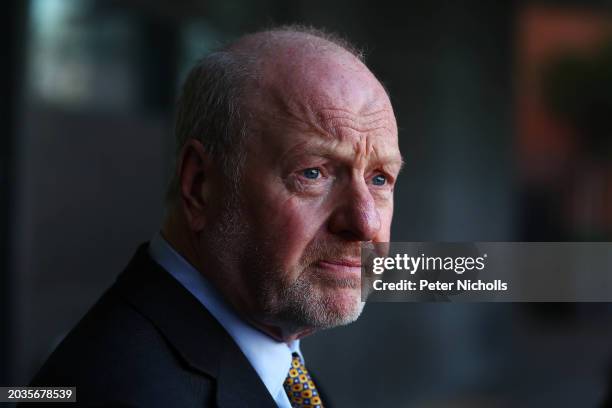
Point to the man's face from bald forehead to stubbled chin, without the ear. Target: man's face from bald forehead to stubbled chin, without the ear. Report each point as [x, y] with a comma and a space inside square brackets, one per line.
[321, 163]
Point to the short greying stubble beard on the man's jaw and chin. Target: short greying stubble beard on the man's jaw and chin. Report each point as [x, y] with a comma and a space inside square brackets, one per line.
[308, 302]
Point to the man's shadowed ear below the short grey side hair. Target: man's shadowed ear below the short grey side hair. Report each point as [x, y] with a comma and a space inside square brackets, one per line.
[194, 183]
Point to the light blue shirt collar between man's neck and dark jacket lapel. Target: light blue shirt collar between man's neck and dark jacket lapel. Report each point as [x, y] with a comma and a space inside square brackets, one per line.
[271, 359]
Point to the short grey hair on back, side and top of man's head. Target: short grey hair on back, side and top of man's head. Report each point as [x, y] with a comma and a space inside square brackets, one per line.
[210, 107]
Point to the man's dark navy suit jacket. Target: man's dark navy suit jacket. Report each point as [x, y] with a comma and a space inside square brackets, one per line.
[148, 342]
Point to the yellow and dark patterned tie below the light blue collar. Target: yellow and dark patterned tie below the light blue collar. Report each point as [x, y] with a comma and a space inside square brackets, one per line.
[299, 386]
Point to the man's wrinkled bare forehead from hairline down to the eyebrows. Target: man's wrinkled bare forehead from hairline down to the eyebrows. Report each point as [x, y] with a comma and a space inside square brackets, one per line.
[323, 103]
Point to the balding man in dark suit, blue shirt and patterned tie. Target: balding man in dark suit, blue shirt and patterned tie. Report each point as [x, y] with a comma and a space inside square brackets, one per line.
[287, 157]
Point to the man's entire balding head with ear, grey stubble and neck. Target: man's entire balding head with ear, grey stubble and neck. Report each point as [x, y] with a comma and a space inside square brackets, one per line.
[288, 160]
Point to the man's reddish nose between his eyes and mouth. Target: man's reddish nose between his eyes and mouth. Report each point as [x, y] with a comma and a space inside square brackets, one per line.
[356, 217]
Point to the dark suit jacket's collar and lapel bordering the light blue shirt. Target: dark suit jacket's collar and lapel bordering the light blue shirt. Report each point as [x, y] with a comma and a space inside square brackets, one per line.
[194, 333]
